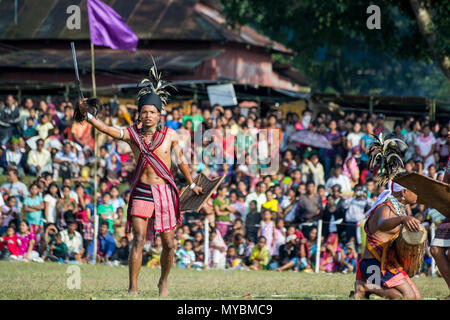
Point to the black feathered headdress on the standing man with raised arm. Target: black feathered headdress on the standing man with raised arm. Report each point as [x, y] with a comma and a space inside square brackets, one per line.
[153, 89]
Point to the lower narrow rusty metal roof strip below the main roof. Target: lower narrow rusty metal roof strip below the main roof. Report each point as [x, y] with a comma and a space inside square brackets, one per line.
[107, 59]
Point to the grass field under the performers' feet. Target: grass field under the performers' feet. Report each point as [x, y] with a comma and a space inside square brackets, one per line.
[48, 281]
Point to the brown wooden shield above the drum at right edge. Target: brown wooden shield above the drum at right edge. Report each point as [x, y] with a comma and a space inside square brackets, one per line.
[432, 193]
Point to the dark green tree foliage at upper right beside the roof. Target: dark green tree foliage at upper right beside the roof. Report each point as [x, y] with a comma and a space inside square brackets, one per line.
[338, 53]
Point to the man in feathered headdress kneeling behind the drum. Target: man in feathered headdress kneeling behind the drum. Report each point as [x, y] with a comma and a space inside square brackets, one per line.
[379, 271]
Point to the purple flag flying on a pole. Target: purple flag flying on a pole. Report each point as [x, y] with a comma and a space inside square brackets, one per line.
[108, 29]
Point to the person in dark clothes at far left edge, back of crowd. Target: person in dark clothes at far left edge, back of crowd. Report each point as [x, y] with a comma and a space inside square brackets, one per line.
[9, 120]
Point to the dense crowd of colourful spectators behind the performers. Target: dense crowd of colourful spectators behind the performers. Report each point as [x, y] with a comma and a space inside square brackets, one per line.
[255, 221]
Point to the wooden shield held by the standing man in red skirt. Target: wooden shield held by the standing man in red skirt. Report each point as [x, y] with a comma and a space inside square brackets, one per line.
[192, 202]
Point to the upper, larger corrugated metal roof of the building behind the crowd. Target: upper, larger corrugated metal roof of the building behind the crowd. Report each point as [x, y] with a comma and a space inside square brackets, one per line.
[149, 19]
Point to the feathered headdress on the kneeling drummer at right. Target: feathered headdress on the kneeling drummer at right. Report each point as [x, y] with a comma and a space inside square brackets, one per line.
[386, 157]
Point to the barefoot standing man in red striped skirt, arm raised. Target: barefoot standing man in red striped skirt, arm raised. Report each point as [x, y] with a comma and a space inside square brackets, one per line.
[154, 200]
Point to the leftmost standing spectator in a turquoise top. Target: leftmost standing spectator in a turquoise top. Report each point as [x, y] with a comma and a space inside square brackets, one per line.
[34, 206]
